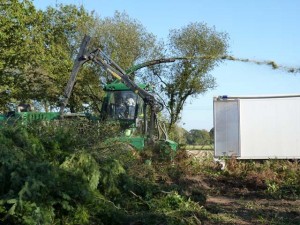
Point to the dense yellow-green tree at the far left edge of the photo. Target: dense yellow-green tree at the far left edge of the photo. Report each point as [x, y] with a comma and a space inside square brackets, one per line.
[20, 49]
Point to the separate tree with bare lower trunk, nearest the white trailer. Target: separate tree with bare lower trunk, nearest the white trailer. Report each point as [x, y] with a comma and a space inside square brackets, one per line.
[189, 78]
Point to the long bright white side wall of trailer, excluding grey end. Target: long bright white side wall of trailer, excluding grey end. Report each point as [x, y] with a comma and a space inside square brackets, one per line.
[270, 128]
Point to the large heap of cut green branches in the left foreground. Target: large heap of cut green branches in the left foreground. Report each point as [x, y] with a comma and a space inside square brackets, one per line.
[66, 173]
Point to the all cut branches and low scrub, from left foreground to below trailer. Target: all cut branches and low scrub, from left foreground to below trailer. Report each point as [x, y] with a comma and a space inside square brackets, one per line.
[66, 173]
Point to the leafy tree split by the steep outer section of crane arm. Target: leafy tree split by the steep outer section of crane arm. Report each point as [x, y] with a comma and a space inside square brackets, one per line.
[63, 28]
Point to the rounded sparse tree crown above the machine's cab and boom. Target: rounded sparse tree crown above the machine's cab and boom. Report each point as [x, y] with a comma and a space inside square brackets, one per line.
[126, 41]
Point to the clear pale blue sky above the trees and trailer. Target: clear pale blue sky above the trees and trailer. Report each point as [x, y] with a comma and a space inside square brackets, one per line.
[258, 29]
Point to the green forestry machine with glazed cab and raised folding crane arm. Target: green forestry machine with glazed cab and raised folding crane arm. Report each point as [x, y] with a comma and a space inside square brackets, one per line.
[134, 106]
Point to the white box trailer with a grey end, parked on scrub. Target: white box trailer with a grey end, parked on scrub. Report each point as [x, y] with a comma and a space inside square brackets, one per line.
[261, 127]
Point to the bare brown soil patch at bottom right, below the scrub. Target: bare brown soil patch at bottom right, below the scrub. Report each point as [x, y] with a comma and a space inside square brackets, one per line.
[227, 203]
